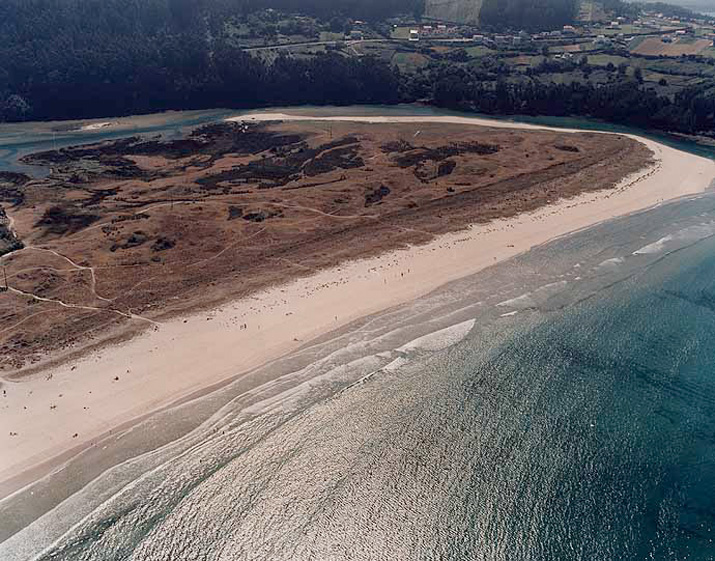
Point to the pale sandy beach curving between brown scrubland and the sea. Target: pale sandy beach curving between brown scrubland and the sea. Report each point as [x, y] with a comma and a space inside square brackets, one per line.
[51, 412]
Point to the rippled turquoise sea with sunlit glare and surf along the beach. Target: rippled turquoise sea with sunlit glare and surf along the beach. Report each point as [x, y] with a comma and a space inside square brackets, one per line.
[559, 406]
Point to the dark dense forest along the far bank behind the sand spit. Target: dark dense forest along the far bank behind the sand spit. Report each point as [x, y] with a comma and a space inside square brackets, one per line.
[76, 59]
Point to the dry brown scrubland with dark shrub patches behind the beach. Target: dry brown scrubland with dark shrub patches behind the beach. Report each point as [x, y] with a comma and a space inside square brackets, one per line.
[123, 235]
